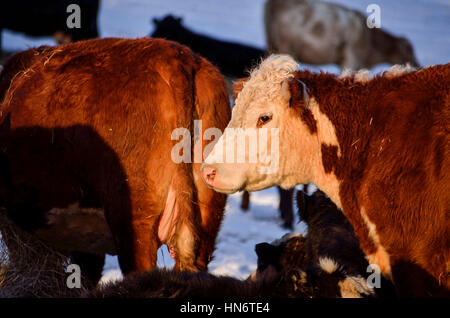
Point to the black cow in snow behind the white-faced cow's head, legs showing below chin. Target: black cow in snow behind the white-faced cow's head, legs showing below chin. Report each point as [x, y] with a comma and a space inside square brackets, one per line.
[234, 60]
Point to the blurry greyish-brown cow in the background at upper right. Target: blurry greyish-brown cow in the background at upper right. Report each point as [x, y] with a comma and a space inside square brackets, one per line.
[319, 32]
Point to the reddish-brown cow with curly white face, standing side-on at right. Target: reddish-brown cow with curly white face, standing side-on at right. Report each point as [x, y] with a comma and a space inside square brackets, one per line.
[379, 148]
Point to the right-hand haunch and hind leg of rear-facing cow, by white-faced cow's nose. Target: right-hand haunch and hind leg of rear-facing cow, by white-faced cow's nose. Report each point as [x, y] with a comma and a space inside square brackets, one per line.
[212, 104]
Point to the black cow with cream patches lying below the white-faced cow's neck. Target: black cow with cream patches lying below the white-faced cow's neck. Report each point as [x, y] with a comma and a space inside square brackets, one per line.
[329, 253]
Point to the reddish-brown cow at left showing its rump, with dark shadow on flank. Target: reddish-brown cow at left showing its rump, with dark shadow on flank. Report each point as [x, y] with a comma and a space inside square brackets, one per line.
[87, 127]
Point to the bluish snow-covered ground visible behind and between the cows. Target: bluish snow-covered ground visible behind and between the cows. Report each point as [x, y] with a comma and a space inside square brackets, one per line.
[426, 23]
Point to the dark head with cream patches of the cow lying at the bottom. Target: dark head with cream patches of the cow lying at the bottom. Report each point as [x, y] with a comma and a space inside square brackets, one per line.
[287, 263]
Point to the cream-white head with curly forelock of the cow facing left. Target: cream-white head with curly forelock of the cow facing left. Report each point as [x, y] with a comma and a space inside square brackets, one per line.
[268, 109]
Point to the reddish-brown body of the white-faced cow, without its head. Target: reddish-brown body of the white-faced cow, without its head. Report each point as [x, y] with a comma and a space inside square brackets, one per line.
[394, 137]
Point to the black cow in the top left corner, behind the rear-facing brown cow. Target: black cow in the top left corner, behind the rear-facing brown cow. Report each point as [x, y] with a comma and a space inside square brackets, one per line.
[49, 18]
